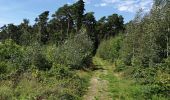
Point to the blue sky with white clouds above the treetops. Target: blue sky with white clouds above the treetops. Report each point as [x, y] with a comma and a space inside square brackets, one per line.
[14, 11]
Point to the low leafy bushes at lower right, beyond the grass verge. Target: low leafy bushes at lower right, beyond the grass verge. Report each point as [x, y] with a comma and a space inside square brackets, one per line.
[156, 78]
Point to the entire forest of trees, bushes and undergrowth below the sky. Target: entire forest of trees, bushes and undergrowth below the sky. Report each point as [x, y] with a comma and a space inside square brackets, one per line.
[57, 56]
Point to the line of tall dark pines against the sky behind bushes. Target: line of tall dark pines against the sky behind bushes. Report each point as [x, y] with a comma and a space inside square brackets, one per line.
[65, 23]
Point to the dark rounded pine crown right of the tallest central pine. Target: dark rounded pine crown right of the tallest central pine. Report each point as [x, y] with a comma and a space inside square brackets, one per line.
[110, 26]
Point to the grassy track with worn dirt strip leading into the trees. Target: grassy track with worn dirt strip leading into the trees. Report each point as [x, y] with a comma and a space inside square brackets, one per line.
[106, 84]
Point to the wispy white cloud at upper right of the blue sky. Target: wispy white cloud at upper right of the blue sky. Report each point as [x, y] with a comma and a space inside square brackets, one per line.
[127, 5]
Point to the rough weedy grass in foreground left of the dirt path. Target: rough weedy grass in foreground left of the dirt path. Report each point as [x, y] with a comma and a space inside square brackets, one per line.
[29, 88]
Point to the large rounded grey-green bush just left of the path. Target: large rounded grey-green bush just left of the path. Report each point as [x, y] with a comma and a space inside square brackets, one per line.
[76, 52]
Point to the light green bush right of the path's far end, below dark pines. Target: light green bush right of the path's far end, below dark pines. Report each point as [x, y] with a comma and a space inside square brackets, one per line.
[109, 49]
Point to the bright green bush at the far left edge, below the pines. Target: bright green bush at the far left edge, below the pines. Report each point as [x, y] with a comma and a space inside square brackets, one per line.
[11, 57]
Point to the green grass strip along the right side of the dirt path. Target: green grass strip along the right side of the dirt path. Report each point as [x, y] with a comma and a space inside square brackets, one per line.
[121, 88]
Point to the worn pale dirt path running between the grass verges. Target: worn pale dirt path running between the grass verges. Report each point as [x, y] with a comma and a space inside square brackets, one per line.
[98, 89]
